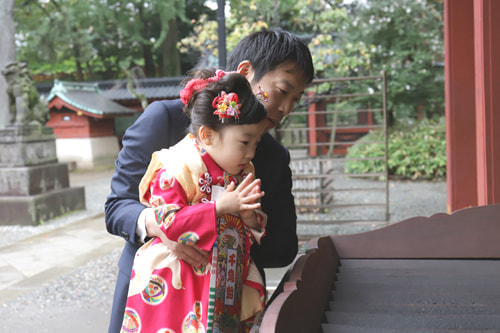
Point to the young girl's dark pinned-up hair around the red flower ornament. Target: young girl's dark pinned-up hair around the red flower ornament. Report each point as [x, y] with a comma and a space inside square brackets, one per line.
[201, 110]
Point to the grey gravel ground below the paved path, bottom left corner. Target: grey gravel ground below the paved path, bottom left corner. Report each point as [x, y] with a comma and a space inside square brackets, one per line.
[76, 302]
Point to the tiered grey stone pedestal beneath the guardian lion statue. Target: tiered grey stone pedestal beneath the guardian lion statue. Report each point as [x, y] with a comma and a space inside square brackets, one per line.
[34, 187]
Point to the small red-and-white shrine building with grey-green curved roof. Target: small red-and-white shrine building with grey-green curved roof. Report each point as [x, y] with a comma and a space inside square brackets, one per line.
[83, 122]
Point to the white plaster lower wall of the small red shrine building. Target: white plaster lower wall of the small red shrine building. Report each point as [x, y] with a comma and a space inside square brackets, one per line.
[88, 153]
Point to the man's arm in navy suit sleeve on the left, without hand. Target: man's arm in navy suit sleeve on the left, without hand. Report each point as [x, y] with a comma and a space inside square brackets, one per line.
[161, 125]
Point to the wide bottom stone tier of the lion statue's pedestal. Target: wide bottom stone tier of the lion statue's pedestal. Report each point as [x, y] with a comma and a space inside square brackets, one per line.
[36, 209]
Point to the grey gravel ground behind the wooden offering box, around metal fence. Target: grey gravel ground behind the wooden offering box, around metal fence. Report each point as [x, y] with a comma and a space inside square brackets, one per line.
[406, 199]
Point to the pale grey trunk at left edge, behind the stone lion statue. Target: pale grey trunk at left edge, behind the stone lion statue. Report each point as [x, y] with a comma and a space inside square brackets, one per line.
[8, 53]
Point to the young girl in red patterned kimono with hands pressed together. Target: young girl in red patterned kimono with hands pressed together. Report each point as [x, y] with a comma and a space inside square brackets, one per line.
[203, 193]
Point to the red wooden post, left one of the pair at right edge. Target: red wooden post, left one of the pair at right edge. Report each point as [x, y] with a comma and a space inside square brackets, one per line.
[460, 104]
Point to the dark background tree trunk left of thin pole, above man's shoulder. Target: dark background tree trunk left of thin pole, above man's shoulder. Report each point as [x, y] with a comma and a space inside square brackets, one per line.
[171, 63]
